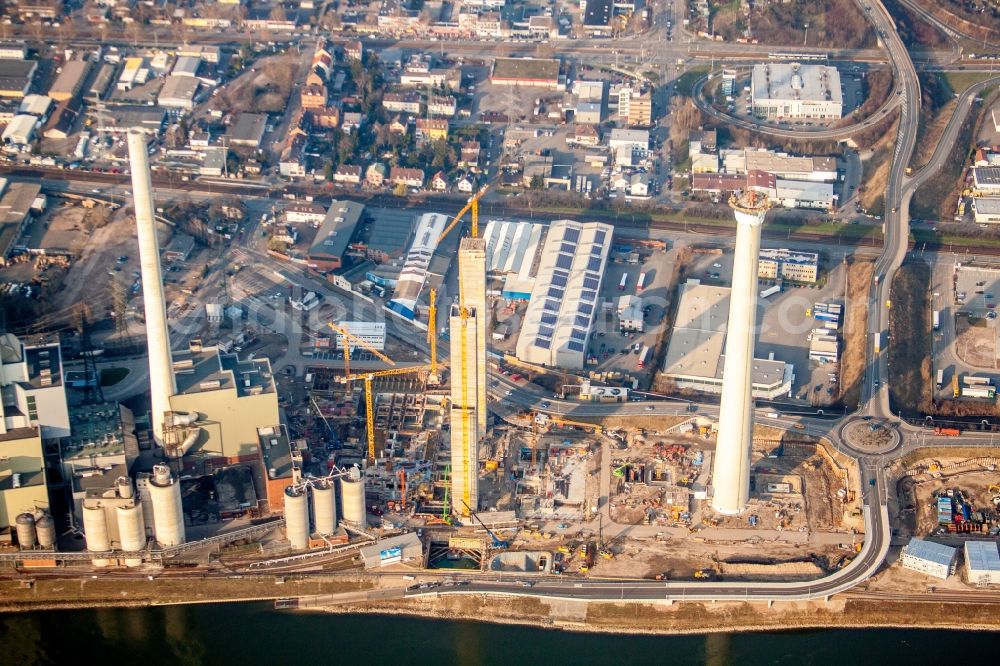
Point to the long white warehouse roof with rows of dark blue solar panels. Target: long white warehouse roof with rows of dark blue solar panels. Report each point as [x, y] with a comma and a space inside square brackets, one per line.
[566, 294]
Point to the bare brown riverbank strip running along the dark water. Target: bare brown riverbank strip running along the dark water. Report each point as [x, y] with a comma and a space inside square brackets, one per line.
[844, 611]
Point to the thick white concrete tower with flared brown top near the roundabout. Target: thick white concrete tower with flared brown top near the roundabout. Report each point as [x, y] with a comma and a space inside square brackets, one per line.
[731, 470]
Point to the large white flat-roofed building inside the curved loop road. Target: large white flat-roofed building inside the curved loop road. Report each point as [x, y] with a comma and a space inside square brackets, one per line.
[792, 91]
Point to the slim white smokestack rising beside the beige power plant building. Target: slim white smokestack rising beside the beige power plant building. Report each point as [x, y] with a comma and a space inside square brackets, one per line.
[161, 374]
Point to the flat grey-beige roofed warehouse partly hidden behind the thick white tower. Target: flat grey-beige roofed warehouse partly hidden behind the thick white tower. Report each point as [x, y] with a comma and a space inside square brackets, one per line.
[695, 357]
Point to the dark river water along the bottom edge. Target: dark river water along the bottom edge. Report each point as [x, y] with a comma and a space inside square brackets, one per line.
[254, 633]
